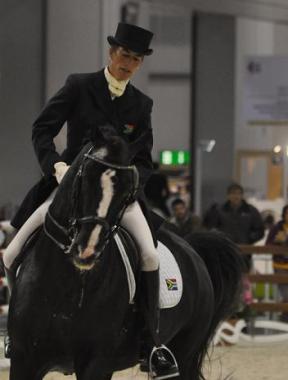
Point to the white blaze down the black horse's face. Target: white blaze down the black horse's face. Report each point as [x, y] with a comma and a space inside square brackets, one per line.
[107, 191]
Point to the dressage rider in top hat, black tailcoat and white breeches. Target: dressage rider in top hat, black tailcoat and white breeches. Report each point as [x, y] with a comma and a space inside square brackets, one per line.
[86, 102]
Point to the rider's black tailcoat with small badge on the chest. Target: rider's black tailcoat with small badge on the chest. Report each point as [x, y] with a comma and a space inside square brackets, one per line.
[85, 103]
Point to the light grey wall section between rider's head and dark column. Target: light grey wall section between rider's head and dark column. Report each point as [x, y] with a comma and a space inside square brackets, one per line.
[169, 81]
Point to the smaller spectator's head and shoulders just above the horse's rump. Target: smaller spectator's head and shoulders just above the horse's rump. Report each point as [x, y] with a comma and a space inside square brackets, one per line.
[183, 221]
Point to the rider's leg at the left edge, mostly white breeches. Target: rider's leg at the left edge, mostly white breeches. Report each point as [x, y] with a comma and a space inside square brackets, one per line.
[14, 248]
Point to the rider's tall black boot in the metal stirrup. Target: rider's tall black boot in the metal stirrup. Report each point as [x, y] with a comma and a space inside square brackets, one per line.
[161, 363]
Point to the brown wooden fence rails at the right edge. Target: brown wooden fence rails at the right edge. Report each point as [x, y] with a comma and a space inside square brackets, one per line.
[277, 278]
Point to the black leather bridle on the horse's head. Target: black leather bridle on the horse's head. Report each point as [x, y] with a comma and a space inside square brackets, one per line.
[69, 234]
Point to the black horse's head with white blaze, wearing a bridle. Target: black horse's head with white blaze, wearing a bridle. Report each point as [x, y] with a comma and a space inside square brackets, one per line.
[101, 189]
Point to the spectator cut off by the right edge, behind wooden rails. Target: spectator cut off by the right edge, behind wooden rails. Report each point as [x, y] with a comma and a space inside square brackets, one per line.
[278, 235]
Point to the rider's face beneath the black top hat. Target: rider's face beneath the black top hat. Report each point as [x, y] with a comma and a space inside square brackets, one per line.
[124, 63]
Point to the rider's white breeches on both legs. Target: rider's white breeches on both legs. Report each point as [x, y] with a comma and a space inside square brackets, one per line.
[133, 220]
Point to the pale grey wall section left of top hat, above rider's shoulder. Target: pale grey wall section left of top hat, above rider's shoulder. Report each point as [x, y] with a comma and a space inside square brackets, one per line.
[73, 40]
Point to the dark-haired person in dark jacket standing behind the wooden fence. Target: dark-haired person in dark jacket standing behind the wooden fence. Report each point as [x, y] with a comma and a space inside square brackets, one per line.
[239, 220]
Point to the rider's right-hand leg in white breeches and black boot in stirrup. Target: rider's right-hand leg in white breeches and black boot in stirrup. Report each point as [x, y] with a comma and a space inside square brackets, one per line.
[135, 222]
